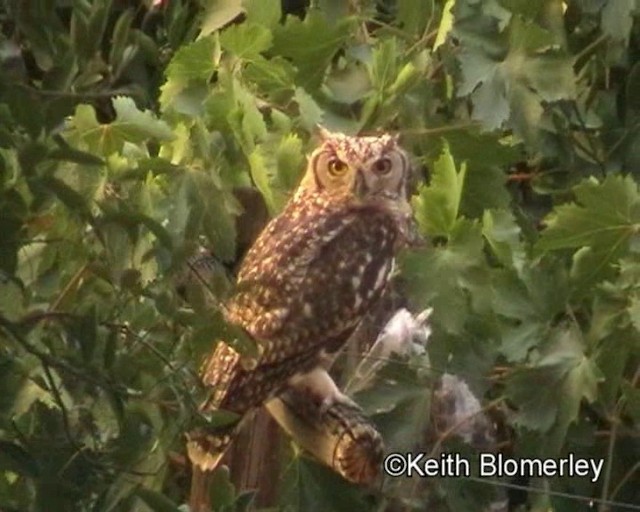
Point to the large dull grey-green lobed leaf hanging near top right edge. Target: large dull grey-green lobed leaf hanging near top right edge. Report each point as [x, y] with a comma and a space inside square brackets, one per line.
[509, 75]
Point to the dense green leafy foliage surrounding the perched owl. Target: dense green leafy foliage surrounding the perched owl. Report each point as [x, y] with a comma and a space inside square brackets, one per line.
[126, 133]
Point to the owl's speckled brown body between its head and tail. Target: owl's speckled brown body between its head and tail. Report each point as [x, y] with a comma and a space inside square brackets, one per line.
[315, 276]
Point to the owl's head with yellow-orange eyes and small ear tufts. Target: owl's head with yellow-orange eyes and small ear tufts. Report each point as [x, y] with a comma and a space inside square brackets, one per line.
[366, 167]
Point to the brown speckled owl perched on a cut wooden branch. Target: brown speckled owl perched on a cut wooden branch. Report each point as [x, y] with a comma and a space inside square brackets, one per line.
[309, 279]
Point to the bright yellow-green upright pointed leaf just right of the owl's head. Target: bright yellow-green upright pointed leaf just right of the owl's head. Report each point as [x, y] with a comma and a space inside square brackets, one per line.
[436, 206]
